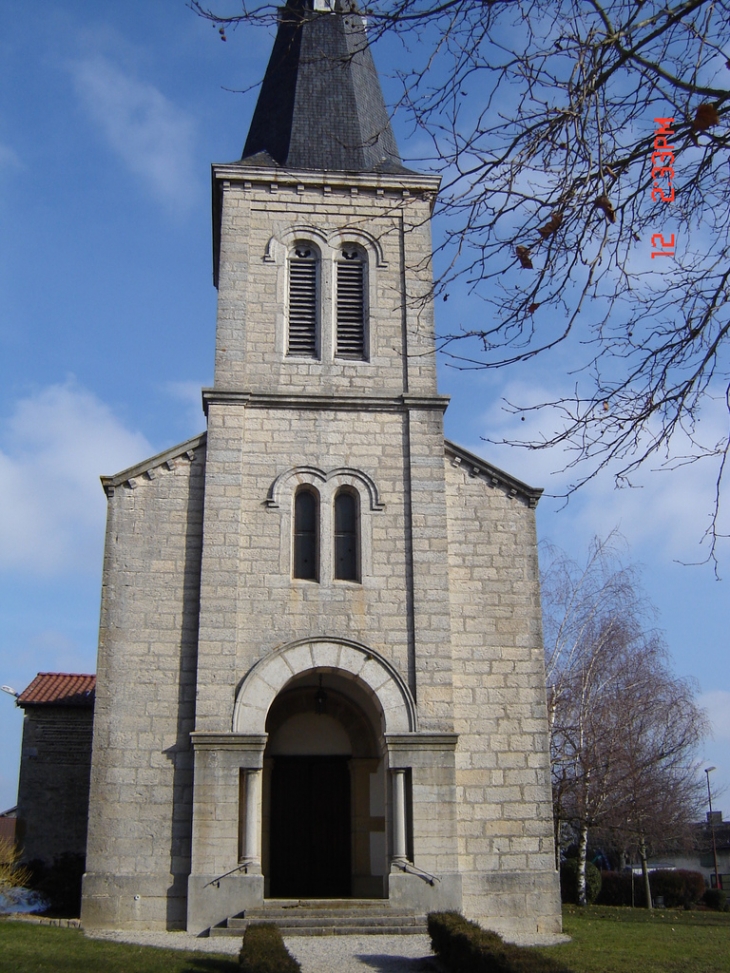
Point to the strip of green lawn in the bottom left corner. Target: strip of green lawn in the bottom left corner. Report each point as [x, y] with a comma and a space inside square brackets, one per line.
[28, 948]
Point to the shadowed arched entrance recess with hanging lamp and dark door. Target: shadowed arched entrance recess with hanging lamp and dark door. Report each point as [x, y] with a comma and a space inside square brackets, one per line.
[323, 827]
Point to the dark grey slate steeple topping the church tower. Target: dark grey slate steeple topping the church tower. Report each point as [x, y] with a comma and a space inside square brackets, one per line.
[320, 105]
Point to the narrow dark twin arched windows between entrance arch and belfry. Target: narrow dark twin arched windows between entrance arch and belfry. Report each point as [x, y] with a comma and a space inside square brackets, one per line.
[346, 547]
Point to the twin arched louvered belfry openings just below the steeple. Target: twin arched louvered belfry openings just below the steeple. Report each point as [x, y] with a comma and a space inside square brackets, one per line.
[304, 338]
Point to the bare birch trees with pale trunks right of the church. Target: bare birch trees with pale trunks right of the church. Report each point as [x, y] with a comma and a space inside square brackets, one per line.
[623, 728]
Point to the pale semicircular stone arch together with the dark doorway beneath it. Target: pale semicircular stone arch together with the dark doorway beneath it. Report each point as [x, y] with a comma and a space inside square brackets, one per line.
[366, 698]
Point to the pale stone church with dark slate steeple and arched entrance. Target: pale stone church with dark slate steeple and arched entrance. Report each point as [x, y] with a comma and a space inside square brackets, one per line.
[320, 674]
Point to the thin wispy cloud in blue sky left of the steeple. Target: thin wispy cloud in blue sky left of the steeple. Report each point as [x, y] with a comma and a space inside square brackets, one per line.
[152, 136]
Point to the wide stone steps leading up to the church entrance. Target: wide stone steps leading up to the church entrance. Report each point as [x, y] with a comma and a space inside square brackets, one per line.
[327, 917]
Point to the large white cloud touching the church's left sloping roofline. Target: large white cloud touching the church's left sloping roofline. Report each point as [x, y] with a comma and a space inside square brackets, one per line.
[55, 445]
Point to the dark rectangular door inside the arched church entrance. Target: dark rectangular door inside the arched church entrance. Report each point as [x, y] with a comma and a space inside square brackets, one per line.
[310, 828]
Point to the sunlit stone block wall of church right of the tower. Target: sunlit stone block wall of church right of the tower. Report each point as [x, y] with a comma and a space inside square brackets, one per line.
[504, 801]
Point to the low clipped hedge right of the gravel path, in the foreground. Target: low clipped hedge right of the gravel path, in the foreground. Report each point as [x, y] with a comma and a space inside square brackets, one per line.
[464, 947]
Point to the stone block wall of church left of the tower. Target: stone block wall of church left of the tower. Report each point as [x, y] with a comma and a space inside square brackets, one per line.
[141, 788]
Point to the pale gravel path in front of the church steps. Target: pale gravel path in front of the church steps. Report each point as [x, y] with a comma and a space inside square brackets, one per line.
[317, 954]
